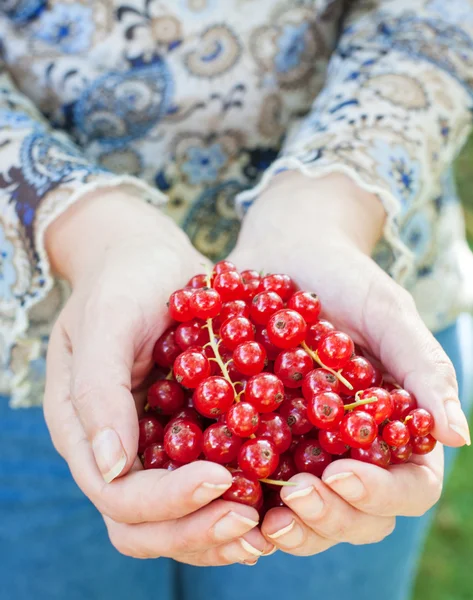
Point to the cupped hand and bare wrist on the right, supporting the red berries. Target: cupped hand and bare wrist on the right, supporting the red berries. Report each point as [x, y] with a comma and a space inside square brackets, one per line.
[321, 232]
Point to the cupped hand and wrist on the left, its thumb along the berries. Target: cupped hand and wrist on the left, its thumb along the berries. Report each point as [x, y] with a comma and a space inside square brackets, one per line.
[123, 259]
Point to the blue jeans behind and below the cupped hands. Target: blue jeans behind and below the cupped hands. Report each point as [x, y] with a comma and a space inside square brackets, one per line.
[53, 543]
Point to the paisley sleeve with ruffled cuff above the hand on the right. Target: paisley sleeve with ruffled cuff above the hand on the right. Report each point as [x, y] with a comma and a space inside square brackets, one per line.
[395, 109]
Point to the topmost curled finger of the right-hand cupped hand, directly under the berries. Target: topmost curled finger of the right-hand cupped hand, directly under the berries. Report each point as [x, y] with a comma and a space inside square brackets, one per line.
[408, 490]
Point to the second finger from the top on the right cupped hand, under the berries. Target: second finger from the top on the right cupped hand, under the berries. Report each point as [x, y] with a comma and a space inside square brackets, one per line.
[331, 517]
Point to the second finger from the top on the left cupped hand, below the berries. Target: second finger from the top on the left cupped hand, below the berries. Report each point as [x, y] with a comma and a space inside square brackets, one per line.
[213, 525]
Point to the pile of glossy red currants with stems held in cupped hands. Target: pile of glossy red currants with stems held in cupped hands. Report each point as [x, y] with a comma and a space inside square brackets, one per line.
[252, 378]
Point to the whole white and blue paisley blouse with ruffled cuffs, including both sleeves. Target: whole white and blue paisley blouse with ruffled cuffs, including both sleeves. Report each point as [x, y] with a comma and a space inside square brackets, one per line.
[196, 104]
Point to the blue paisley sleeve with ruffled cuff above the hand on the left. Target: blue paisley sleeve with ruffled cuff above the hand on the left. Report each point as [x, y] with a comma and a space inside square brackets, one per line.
[41, 173]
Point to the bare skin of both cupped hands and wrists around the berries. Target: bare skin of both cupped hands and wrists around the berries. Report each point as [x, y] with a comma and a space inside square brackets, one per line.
[95, 355]
